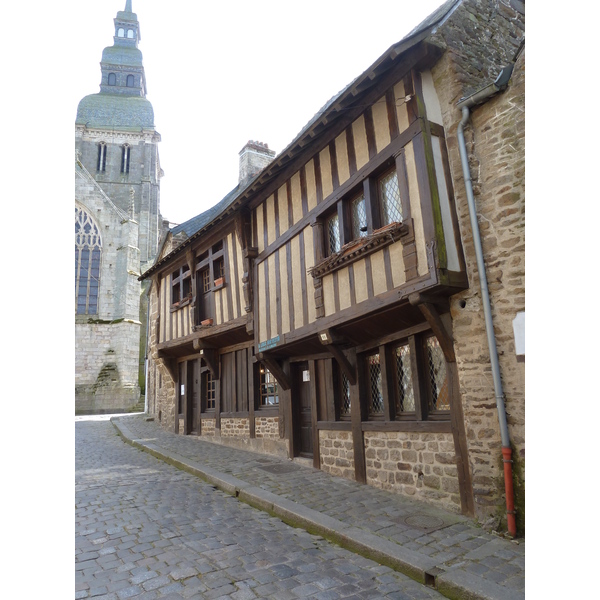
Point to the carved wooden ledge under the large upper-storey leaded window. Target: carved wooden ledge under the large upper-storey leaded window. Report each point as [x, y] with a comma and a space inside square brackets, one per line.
[357, 249]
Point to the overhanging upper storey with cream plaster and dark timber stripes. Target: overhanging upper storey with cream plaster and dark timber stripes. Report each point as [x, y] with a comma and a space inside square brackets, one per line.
[353, 217]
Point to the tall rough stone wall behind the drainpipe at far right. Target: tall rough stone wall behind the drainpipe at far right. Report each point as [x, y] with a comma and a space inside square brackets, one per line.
[495, 136]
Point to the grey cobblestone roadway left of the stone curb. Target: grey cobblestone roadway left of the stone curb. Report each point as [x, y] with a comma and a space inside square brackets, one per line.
[146, 530]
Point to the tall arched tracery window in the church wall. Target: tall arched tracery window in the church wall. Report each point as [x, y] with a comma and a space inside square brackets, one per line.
[88, 253]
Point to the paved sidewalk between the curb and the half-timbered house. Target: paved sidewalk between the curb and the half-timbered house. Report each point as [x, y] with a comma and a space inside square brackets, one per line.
[456, 544]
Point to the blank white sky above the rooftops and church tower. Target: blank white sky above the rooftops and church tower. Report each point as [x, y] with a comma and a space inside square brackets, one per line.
[222, 73]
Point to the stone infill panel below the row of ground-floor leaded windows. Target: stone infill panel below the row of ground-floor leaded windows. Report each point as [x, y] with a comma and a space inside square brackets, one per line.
[422, 465]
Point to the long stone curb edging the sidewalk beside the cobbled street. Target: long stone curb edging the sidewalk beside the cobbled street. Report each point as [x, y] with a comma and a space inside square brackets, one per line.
[455, 584]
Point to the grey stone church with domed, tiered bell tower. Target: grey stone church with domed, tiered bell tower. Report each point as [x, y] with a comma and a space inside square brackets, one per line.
[117, 225]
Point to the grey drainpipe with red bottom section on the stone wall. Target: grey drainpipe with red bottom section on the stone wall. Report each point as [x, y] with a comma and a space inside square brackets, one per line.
[465, 105]
